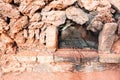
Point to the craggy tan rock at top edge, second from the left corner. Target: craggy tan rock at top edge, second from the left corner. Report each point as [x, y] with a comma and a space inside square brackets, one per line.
[30, 7]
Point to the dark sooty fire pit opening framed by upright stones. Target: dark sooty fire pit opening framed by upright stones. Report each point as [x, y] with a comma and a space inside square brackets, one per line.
[72, 35]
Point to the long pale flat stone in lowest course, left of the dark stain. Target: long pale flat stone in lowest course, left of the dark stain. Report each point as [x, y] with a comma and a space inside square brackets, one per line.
[59, 67]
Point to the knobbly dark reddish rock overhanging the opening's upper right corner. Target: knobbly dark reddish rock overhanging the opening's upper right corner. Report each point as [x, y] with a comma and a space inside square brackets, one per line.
[96, 24]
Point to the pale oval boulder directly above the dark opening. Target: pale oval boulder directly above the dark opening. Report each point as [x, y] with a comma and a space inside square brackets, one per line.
[77, 15]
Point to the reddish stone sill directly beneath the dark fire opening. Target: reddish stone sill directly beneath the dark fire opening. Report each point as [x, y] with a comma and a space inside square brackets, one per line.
[80, 53]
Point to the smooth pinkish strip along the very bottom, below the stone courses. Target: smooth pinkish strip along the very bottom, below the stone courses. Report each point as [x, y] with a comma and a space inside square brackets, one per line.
[97, 75]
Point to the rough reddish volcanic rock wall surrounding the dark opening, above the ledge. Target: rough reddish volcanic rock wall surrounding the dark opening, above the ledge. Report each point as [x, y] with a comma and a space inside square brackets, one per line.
[27, 22]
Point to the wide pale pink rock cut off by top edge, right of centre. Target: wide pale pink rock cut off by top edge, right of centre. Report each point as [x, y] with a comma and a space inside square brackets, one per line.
[94, 4]
